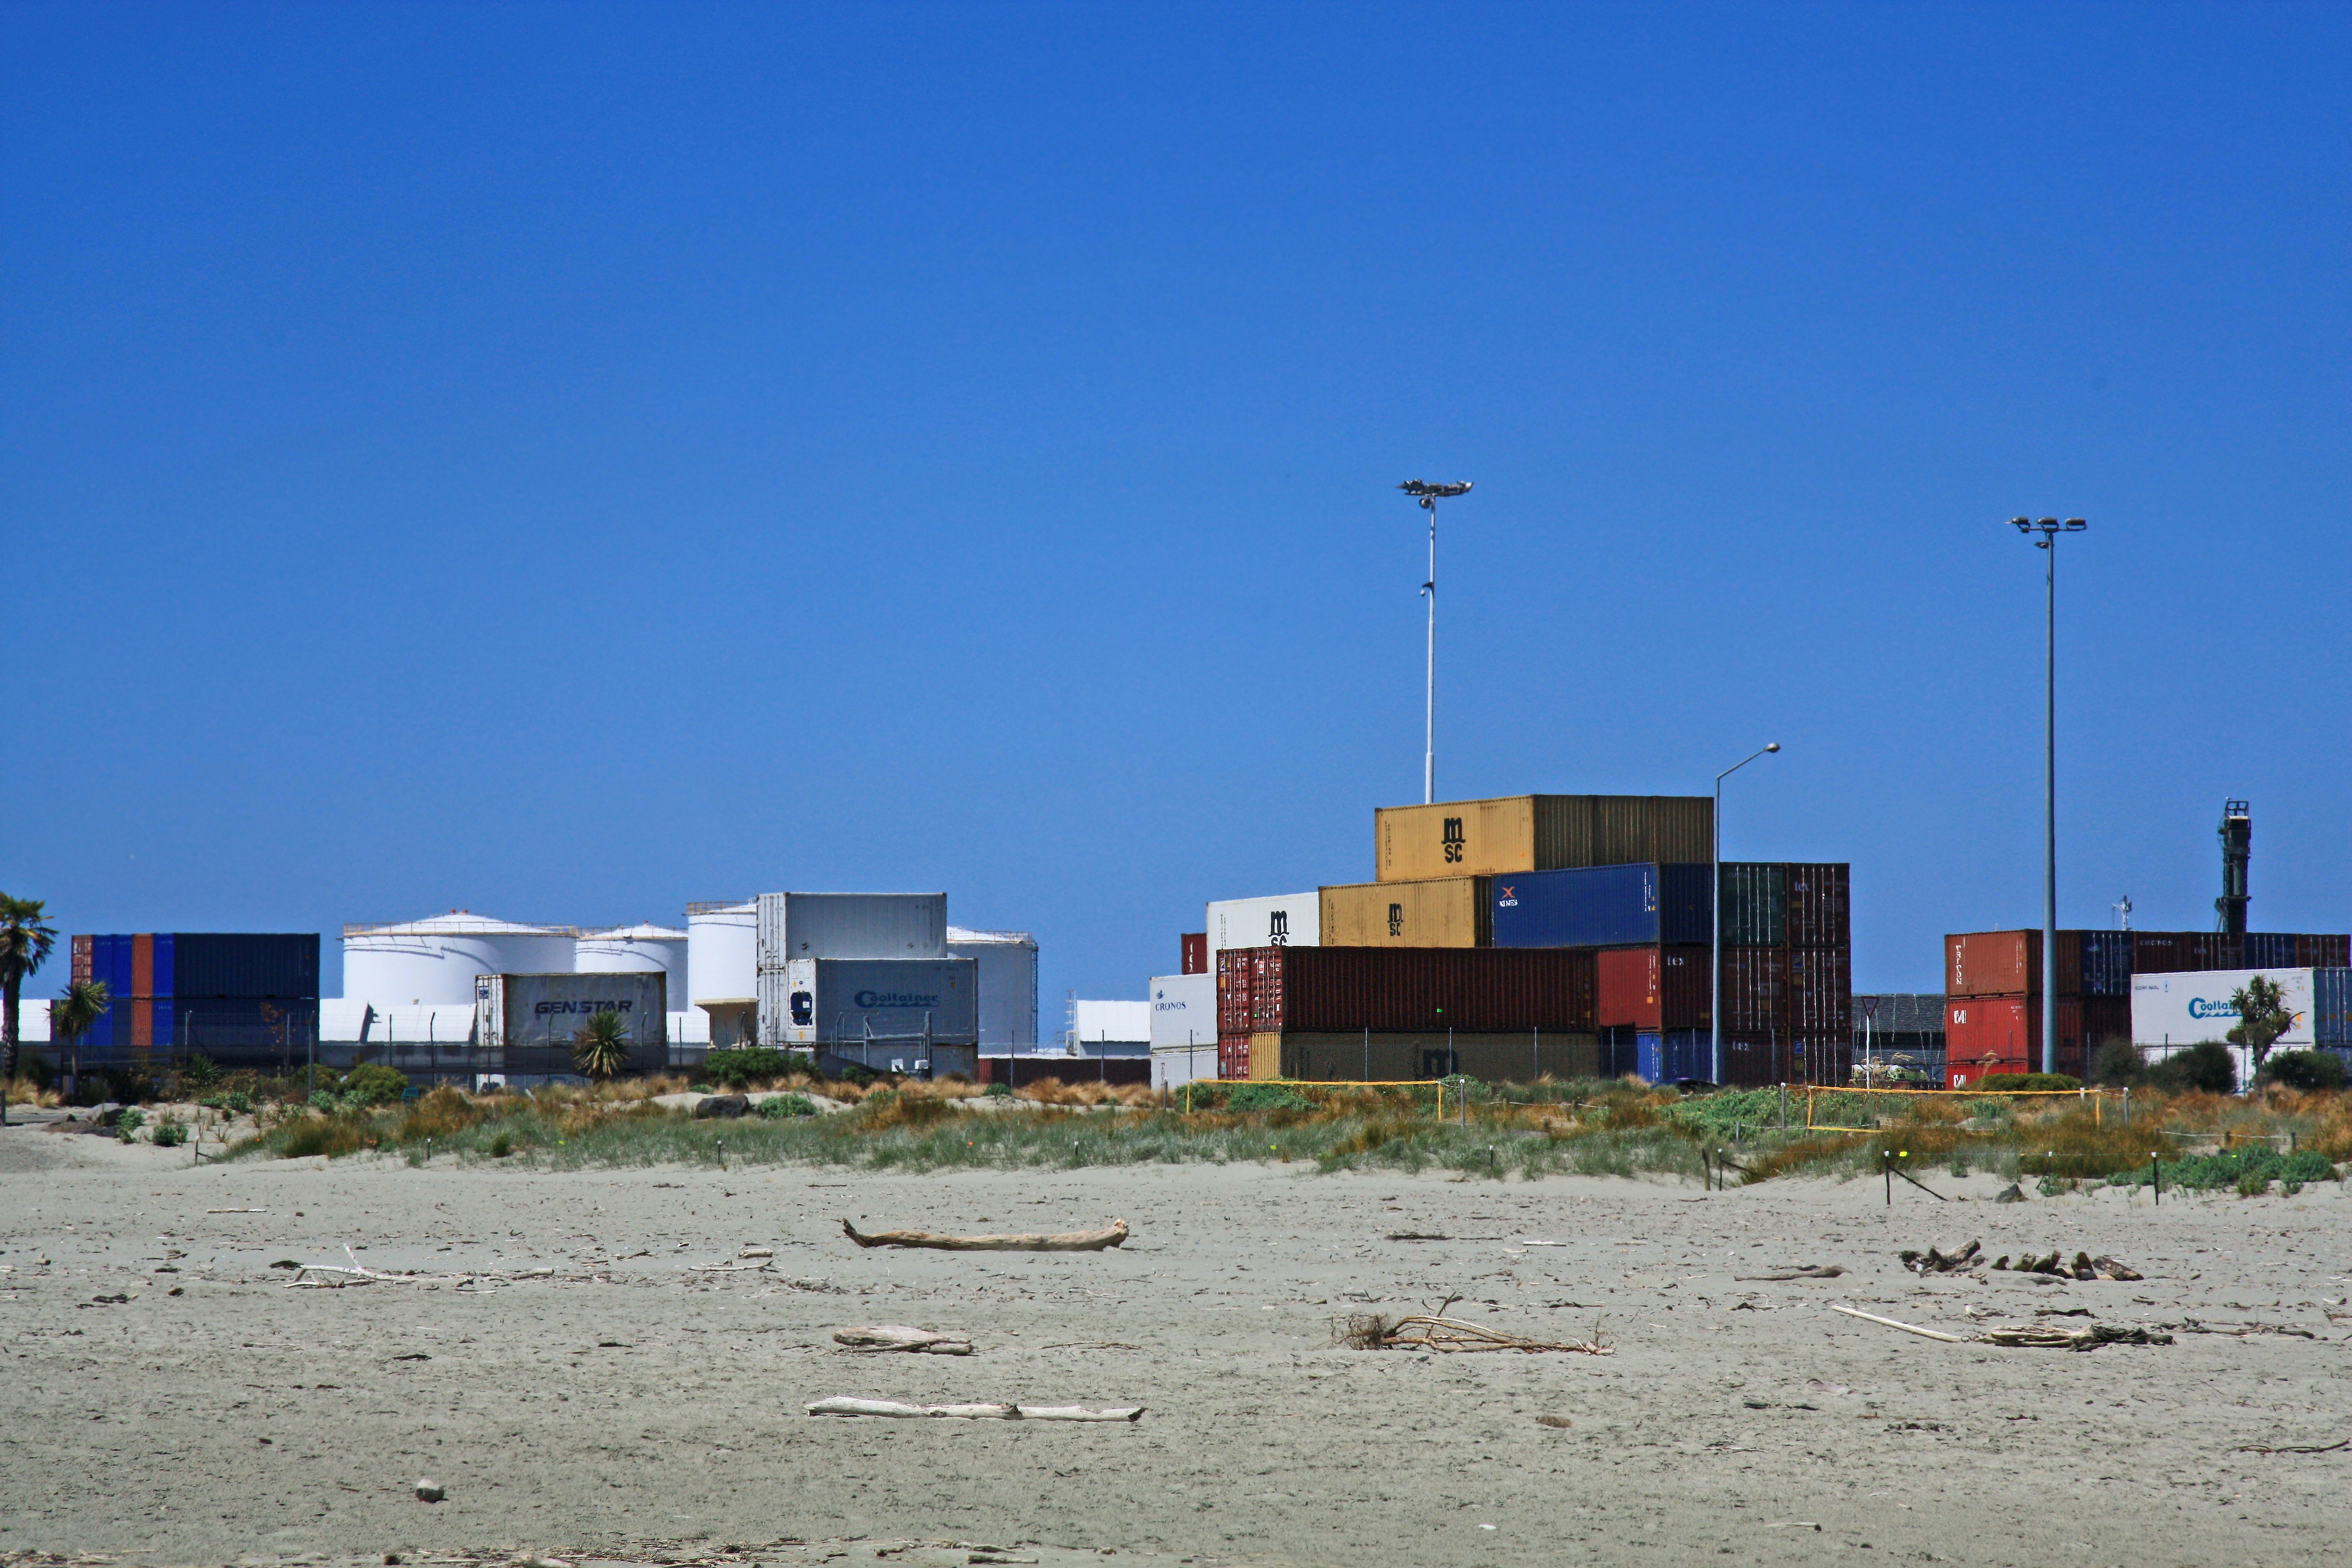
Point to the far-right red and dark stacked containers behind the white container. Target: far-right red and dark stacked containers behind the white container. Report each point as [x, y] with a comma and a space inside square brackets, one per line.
[1993, 989]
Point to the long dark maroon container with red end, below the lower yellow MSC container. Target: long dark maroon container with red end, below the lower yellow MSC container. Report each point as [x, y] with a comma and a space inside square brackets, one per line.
[1405, 989]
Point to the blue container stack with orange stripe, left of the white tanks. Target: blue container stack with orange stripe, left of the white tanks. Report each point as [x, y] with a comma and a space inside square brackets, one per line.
[243, 1000]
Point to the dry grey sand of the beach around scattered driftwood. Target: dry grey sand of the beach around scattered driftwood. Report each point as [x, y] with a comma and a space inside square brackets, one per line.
[632, 1407]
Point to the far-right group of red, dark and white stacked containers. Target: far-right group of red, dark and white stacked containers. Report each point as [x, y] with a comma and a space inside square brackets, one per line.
[2163, 991]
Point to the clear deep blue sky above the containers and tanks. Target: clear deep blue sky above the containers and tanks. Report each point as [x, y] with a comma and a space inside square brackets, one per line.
[570, 462]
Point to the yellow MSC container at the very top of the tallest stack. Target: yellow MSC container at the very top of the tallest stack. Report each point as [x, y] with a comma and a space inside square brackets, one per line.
[1537, 833]
